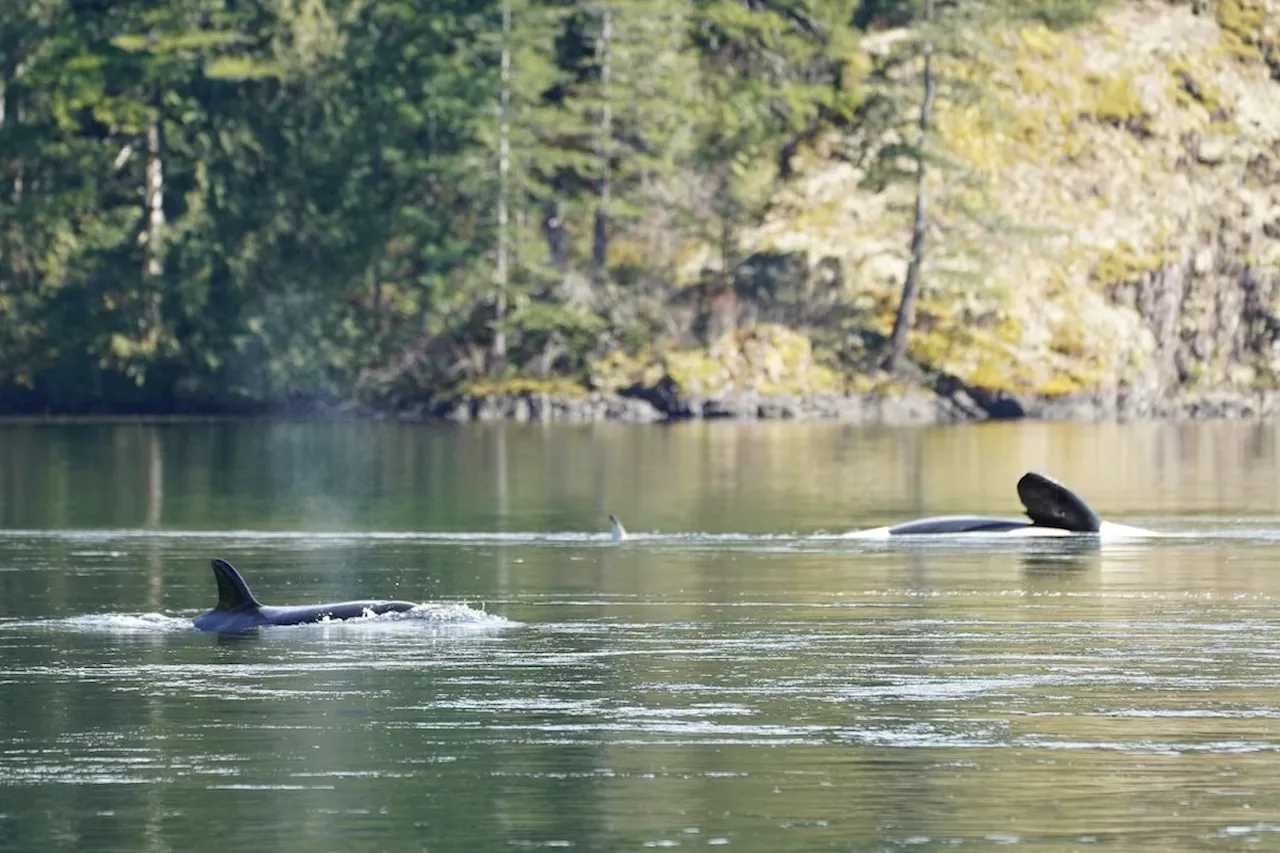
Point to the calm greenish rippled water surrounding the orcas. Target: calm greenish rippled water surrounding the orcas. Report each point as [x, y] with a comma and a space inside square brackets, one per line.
[733, 677]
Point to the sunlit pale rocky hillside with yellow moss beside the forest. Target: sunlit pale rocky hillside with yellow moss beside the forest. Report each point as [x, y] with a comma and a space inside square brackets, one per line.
[1135, 167]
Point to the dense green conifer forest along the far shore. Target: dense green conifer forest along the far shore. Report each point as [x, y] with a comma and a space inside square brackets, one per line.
[235, 206]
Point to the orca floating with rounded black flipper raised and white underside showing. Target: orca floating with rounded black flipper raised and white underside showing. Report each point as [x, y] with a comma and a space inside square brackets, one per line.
[1053, 510]
